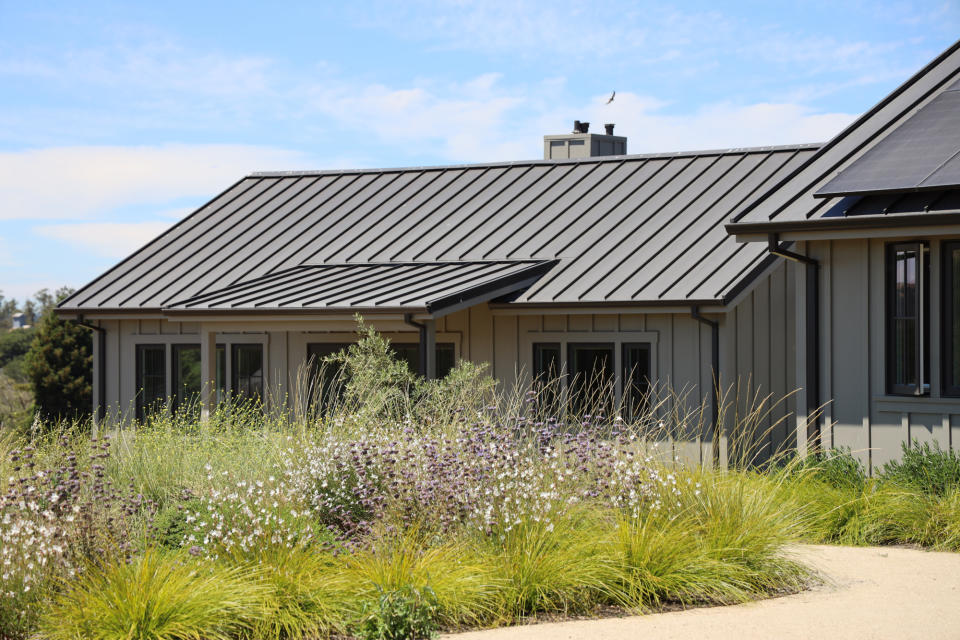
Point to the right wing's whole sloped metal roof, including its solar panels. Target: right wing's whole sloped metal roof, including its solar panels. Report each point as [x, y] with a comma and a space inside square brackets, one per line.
[880, 150]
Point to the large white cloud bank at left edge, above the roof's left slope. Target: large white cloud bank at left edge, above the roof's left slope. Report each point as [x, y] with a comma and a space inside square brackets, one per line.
[83, 182]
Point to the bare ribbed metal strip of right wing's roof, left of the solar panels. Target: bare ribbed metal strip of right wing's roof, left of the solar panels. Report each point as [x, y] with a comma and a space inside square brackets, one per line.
[793, 200]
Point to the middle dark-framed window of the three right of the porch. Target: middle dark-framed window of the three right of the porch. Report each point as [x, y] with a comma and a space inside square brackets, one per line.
[591, 371]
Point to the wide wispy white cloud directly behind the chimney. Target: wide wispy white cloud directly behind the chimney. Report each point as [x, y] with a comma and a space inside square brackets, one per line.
[481, 121]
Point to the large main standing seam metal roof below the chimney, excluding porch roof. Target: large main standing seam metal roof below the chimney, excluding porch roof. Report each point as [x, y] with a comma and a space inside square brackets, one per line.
[644, 229]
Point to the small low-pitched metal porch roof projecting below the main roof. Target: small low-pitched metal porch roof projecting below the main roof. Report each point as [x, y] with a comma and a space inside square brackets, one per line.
[432, 286]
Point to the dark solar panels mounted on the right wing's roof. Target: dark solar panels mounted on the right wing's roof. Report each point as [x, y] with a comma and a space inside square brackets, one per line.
[917, 155]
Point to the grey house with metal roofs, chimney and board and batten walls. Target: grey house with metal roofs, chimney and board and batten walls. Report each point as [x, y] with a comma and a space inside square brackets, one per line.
[820, 268]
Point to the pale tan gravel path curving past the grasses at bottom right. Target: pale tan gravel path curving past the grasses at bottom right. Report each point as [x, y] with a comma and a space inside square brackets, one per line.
[870, 593]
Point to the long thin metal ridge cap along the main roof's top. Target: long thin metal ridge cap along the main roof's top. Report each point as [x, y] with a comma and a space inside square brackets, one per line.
[541, 162]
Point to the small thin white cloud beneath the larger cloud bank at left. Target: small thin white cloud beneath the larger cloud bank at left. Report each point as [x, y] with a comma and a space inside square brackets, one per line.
[107, 239]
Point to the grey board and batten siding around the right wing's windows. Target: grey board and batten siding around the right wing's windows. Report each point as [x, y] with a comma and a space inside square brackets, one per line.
[858, 413]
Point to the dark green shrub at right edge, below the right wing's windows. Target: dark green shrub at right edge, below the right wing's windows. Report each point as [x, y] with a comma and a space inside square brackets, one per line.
[924, 468]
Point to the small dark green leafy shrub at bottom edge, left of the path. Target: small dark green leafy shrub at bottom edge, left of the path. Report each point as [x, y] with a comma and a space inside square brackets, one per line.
[407, 613]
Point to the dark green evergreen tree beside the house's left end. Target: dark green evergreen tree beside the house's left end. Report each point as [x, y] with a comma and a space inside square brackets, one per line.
[60, 368]
